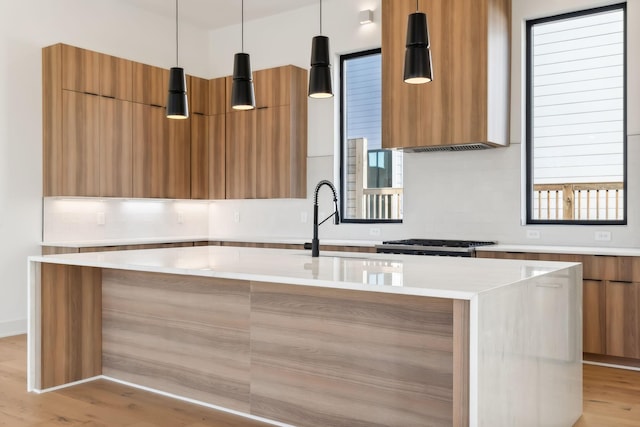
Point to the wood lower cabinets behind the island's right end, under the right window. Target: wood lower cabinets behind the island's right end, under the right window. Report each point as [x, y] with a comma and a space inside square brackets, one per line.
[611, 302]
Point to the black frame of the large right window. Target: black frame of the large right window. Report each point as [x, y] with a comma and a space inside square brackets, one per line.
[529, 122]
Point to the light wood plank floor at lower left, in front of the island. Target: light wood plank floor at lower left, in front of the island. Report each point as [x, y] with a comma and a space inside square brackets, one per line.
[96, 404]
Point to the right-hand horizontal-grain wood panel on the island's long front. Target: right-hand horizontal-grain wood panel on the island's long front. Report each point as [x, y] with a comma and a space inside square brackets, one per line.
[333, 357]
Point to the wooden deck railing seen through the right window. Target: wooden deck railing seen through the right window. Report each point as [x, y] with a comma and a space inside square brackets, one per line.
[584, 201]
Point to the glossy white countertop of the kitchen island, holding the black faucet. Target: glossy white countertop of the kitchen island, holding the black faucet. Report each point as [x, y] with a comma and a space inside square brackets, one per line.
[445, 277]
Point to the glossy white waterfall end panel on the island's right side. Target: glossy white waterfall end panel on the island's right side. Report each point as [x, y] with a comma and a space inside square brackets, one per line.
[530, 351]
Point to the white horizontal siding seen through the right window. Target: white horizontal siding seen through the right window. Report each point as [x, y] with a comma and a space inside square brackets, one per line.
[577, 99]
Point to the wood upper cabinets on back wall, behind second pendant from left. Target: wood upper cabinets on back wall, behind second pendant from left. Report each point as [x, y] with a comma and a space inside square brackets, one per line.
[266, 148]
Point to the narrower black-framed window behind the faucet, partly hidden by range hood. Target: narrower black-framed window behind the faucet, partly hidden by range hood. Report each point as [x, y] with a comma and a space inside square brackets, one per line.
[371, 178]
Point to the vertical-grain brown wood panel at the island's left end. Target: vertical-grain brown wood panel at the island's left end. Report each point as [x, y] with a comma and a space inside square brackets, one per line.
[71, 324]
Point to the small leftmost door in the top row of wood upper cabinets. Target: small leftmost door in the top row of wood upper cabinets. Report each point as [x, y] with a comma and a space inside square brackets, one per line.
[80, 70]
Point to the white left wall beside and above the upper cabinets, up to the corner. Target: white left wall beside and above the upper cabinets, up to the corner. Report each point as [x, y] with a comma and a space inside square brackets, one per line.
[26, 26]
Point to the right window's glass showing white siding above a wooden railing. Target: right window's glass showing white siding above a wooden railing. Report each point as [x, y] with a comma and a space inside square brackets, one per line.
[576, 118]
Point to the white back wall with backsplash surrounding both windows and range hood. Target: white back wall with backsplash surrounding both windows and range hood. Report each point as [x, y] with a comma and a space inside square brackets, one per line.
[468, 195]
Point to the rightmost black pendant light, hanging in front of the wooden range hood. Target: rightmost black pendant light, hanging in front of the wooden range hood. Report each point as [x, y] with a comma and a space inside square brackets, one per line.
[417, 57]
